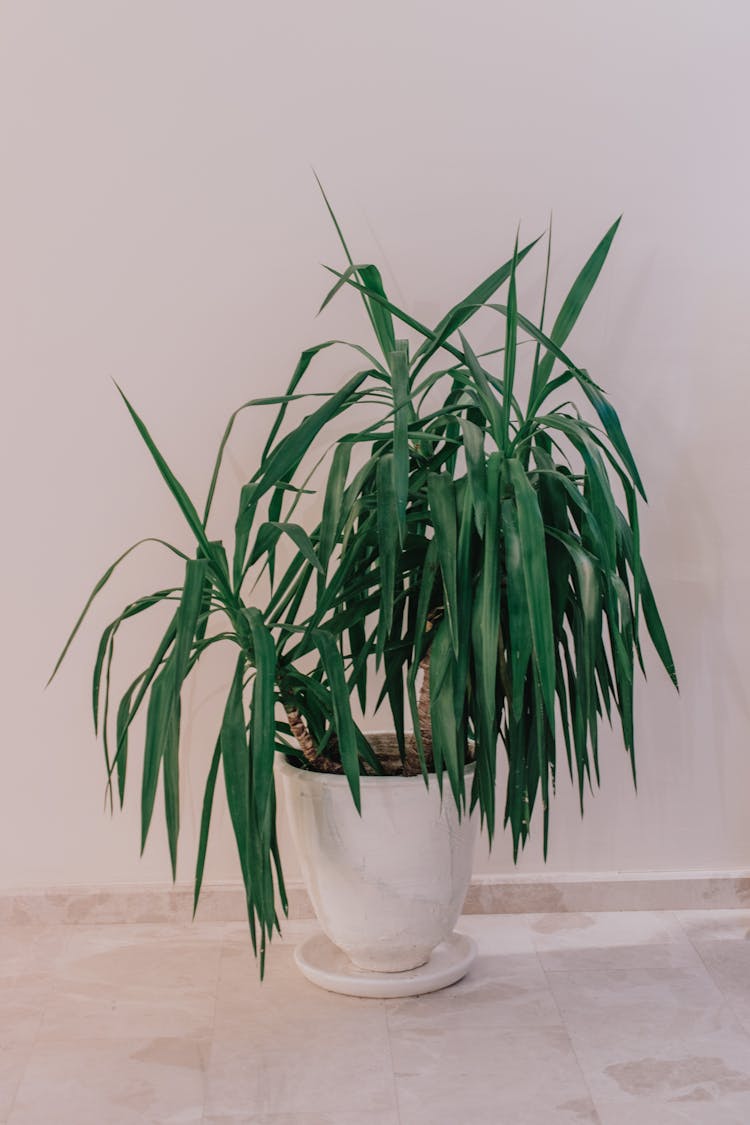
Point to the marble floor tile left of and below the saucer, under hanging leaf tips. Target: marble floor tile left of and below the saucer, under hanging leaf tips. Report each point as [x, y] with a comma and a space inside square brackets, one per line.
[287, 1048]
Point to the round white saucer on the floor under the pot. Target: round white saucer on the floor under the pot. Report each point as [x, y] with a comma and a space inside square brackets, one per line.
[328, 967]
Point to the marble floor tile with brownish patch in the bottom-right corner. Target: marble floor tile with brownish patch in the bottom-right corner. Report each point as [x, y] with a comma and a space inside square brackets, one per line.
[662, 1046]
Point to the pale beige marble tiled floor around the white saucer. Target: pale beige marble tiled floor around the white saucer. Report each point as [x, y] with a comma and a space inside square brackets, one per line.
[611, 1019]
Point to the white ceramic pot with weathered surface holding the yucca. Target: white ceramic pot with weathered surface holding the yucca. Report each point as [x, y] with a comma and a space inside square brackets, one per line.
[388, 887]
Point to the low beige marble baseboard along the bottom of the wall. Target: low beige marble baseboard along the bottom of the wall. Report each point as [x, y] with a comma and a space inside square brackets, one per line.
[487, 895]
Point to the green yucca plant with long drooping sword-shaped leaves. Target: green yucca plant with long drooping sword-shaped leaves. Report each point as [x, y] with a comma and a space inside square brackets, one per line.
[478, 546]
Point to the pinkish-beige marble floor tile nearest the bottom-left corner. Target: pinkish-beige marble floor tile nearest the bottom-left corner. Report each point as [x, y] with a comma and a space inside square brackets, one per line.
[113, 1083]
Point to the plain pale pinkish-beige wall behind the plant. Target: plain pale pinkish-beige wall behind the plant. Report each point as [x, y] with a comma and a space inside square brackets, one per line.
[159, 224]
